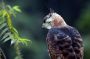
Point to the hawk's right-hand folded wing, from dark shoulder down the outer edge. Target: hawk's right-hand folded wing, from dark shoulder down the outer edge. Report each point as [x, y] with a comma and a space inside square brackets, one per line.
[77, 42]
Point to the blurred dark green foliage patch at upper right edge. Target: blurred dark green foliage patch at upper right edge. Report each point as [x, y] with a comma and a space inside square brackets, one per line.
[84, 21]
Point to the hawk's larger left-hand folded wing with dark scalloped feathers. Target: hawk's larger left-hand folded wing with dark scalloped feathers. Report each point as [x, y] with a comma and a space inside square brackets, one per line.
[60, 46]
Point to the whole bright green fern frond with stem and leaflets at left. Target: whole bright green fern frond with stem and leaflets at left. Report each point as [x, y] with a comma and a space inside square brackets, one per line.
[7, 30]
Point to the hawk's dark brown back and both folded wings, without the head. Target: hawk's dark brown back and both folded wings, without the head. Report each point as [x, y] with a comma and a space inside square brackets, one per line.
[65, 44]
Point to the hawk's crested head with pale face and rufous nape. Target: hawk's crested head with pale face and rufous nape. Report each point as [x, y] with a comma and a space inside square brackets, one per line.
[53, 20]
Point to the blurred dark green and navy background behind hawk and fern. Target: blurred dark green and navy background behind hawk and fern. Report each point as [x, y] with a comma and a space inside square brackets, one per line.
[75, 12]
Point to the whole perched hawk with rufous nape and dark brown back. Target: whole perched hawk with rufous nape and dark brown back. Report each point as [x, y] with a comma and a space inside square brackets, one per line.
[63, 41]
